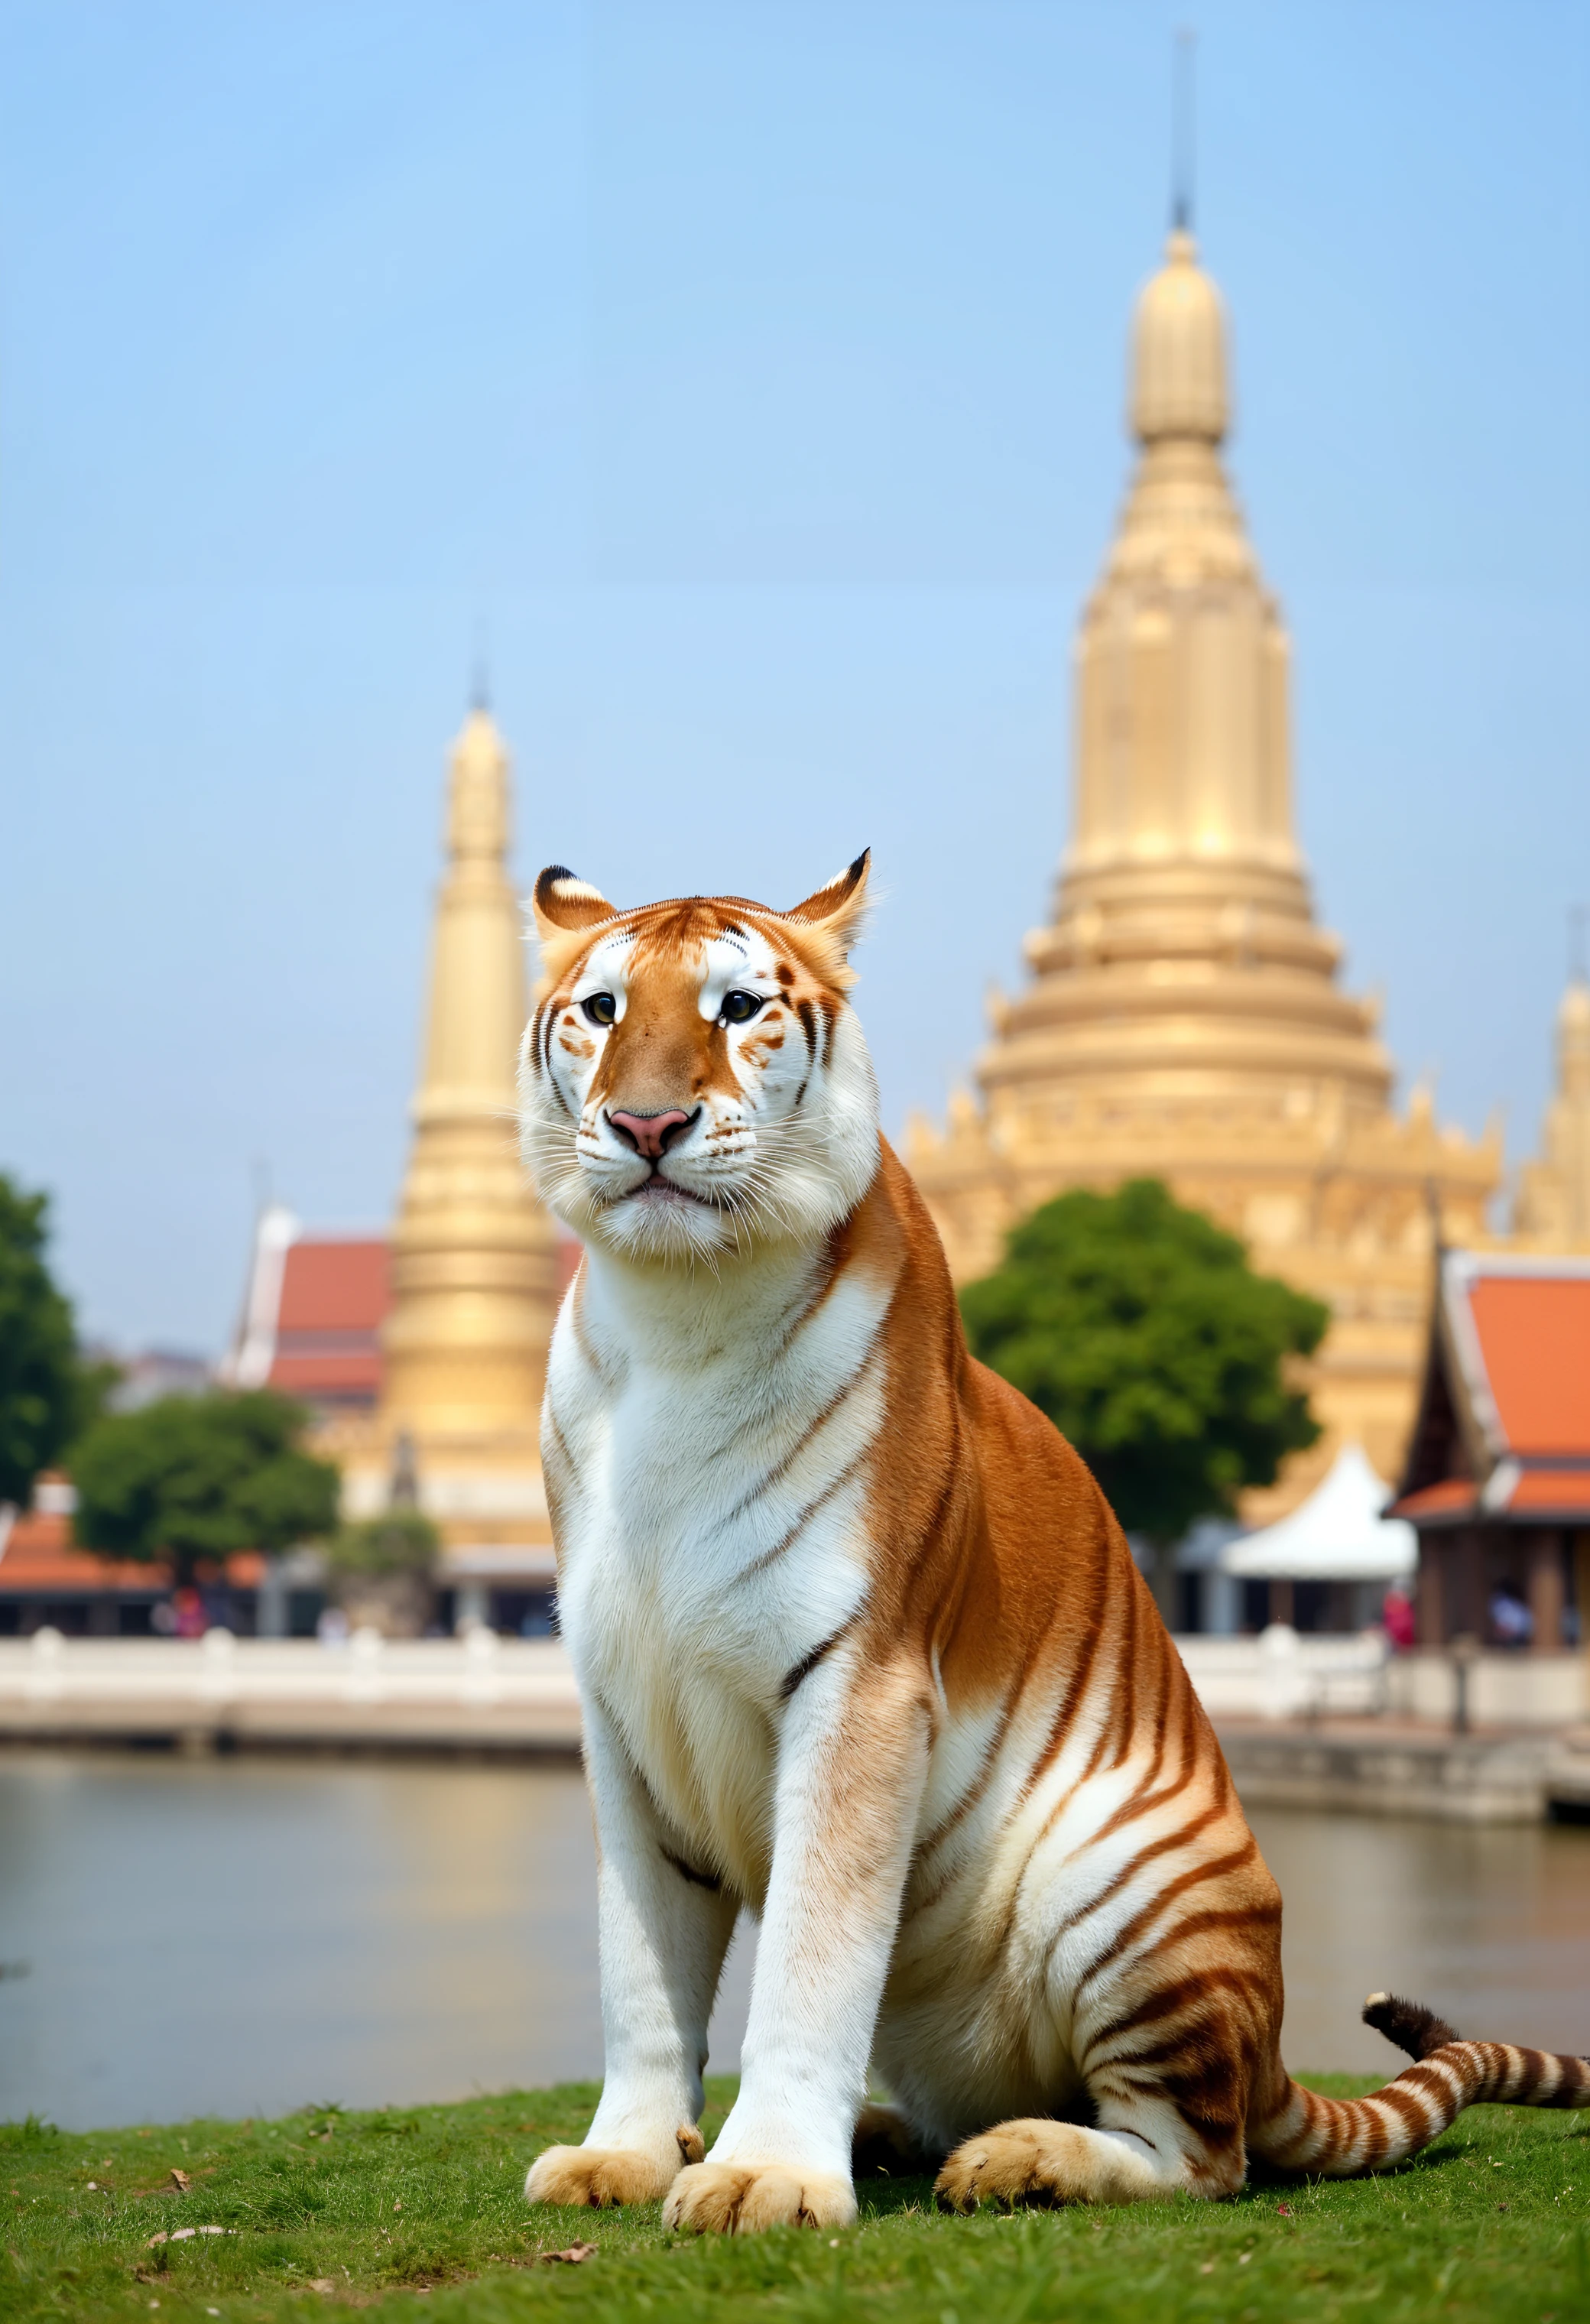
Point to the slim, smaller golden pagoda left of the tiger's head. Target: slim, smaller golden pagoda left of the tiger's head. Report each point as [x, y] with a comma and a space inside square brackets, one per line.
[473, 1256]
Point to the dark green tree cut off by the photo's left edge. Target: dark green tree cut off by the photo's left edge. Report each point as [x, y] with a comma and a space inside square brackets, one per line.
[45, 1391]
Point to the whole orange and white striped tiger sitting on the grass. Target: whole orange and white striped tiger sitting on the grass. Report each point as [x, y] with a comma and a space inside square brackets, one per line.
[864, 1649]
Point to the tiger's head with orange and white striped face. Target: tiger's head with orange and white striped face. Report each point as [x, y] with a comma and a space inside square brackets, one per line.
[694, 1079]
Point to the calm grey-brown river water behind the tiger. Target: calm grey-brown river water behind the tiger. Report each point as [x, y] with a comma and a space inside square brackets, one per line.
[243, 1937]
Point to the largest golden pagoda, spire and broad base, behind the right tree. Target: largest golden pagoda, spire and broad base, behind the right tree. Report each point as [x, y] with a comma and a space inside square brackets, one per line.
[1184, 1017]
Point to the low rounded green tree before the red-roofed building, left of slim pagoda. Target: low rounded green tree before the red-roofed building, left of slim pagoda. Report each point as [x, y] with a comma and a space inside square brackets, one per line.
[201, 1477]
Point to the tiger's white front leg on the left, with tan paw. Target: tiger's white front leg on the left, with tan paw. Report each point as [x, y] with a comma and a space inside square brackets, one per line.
[664, 1930]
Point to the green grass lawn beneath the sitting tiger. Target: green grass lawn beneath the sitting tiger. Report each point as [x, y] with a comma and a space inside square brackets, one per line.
[422, 2216]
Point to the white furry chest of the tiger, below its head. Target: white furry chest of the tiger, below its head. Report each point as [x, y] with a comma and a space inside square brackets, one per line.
[712, 1521]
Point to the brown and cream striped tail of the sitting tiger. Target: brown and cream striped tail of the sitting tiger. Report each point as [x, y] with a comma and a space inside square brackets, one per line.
[1347, 2137]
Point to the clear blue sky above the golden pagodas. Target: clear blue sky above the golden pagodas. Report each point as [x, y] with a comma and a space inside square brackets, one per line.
[754, 371]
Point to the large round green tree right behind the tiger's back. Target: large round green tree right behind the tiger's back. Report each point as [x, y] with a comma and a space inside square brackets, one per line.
[1145, 1335]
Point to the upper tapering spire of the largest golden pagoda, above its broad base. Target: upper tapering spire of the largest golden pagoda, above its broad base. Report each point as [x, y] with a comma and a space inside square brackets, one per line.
[1182, 968]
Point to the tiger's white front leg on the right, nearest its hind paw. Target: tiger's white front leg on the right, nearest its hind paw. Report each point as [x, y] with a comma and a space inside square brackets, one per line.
[852, 1770]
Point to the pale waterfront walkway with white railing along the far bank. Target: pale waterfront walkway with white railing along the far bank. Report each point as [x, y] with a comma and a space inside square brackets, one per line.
[1308, 1723]
